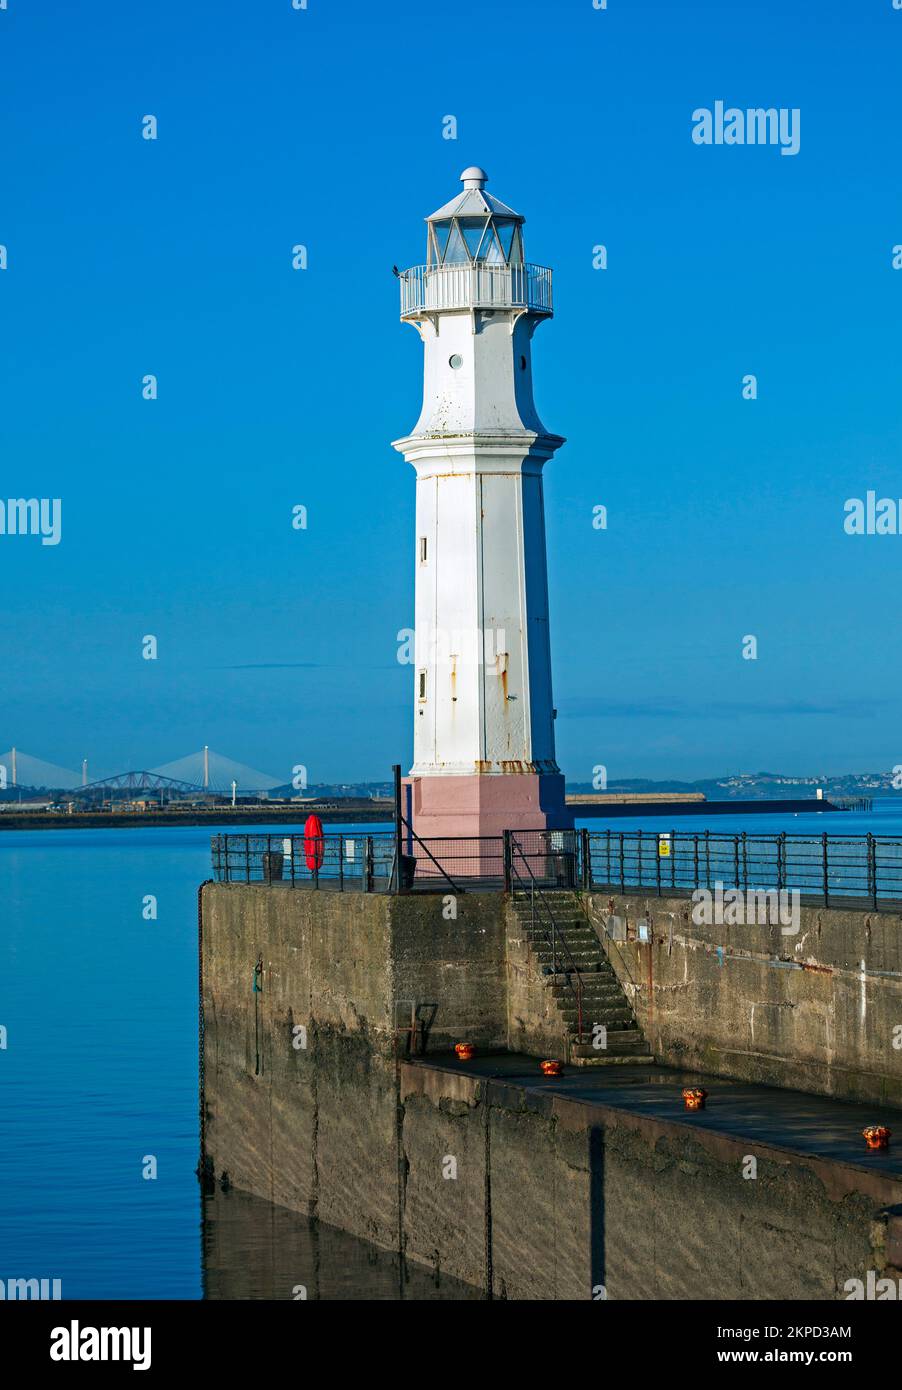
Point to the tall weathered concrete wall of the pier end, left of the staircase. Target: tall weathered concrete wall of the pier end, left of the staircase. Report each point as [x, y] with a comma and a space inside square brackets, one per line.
[315, 1127]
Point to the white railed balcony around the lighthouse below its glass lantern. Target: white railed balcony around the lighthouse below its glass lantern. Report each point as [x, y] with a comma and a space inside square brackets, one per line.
[426, 290]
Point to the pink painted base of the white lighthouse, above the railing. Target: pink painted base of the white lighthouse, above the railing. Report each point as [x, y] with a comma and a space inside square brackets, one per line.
[486, 806]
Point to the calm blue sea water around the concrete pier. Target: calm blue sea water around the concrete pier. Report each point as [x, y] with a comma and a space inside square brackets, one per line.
[101, 1070]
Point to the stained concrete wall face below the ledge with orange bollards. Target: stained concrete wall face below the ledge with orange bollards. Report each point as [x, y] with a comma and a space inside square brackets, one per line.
[558, 1199]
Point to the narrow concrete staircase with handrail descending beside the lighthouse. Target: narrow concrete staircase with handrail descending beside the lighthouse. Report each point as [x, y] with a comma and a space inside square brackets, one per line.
[604, 1000]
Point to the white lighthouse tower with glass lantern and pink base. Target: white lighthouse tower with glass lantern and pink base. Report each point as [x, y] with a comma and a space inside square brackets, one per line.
[484, 719]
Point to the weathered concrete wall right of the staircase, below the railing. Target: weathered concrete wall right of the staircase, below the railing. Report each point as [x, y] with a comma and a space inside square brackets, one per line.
[814, 1013]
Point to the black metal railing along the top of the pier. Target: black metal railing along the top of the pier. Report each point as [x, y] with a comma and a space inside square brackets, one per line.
[829, 869]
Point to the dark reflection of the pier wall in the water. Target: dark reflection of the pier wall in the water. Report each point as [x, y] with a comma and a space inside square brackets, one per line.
[256, 1250]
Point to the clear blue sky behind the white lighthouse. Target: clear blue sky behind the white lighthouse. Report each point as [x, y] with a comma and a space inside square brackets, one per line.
[281, 389]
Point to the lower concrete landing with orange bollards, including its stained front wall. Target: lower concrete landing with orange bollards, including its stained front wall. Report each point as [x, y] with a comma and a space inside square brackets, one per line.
[604, 1181]
